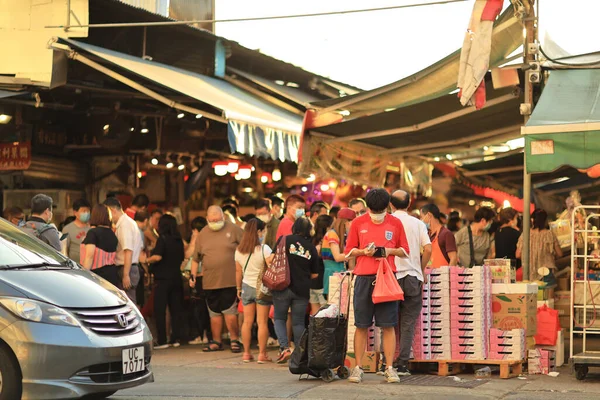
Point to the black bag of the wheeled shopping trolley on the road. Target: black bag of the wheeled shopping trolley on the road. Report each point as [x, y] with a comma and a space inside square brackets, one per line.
[327, 342]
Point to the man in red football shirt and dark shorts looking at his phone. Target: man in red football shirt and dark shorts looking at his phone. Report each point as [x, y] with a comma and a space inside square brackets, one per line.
[383, 230]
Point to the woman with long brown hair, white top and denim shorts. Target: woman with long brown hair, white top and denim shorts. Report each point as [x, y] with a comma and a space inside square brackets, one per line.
[250, 258]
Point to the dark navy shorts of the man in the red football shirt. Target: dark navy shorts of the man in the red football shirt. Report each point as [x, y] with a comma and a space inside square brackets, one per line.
[386, 314]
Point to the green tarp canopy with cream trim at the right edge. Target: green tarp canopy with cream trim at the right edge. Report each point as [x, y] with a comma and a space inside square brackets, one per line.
[564, 128]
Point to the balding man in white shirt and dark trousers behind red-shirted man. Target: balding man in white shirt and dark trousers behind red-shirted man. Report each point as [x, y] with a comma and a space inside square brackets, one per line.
[410, 277]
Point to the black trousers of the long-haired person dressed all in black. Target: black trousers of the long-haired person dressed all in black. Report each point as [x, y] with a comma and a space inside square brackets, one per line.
[168, 292]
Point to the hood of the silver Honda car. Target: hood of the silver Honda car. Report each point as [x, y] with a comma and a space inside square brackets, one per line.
[65, 288]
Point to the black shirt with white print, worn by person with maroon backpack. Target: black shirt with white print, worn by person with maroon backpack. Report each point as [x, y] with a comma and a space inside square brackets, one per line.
[303, 260]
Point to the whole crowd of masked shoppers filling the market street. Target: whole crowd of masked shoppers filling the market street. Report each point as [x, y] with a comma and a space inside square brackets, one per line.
[226, 256]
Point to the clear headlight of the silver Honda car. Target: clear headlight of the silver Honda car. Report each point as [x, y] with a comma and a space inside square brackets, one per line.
[37, 311]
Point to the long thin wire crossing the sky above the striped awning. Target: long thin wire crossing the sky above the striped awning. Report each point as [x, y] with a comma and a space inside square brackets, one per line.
[211, 21]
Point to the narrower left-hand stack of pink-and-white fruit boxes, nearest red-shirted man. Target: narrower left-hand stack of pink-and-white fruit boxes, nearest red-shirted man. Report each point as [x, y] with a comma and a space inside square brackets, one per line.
[435, 332]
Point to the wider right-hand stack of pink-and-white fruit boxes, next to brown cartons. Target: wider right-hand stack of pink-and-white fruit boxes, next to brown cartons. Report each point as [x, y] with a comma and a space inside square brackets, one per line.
[471, 313]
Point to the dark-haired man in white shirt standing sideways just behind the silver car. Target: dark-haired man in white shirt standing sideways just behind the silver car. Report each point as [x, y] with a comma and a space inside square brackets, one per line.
[129, 248]
